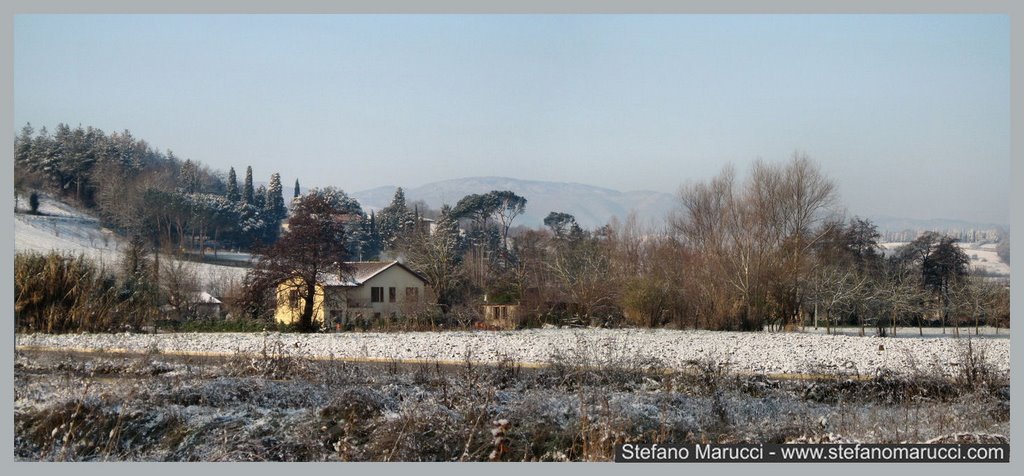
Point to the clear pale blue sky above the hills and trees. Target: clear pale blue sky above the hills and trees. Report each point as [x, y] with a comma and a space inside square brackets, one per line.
[909, 114]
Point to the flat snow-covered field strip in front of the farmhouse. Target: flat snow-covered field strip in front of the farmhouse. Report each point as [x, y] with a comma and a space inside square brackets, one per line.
[746, 353]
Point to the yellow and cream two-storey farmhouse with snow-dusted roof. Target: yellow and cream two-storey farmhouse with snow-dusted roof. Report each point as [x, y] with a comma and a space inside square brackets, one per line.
[365, 291]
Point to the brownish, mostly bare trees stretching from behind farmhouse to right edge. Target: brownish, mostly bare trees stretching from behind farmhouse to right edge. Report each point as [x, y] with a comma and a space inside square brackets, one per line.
[770, 252]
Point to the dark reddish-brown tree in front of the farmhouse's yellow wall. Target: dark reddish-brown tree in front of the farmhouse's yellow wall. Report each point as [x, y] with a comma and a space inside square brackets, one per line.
[313, 247]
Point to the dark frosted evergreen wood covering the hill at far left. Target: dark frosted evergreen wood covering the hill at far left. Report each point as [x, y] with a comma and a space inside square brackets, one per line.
[138, 190]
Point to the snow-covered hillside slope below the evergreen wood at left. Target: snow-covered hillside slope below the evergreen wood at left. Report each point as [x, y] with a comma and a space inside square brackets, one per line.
[64, 229]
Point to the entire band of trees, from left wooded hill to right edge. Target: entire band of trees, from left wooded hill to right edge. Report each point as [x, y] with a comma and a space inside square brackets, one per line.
[772, 251]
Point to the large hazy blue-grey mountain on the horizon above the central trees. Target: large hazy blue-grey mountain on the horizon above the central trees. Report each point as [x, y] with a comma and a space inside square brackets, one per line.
[591, 206]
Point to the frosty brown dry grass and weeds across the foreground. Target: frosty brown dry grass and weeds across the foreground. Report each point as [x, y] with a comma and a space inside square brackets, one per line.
[277, 407]
